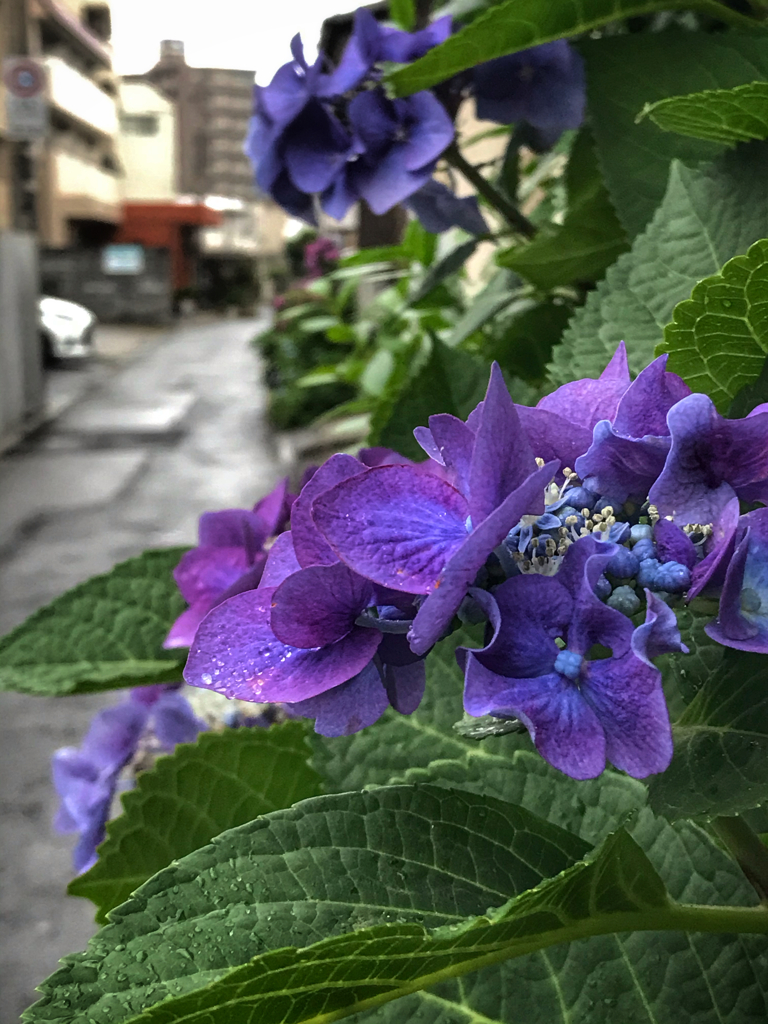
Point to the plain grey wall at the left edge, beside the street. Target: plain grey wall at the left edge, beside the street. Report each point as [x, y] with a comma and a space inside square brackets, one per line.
[21, 356]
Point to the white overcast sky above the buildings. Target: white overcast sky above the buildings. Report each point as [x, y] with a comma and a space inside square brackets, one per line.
[218, 33]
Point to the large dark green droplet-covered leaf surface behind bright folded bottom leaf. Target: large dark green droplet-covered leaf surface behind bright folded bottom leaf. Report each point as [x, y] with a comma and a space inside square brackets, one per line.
[327, 867]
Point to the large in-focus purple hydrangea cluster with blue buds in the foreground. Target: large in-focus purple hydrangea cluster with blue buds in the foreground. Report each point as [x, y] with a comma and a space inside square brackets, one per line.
[576, 571]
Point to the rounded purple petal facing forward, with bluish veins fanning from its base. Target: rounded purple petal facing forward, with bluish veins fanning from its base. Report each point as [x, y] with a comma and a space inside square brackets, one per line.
[395, 525]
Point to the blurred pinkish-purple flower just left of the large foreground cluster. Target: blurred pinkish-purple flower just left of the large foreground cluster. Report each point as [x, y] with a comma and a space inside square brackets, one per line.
[229, 560]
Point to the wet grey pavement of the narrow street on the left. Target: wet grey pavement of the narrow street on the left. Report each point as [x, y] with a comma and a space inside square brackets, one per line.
[166, 426]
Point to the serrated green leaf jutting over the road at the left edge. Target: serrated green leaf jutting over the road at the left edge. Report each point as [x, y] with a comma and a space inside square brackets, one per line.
[104, 634]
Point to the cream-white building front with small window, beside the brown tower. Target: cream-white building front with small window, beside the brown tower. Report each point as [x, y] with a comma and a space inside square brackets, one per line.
[149, 160]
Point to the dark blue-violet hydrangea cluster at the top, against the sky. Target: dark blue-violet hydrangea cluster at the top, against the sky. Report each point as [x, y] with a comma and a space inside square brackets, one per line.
[332, 137]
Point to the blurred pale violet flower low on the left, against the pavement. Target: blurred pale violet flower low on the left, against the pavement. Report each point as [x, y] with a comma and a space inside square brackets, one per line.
[87, 778]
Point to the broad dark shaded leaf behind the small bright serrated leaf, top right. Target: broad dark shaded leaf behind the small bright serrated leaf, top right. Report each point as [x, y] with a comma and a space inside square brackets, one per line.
[625, 73]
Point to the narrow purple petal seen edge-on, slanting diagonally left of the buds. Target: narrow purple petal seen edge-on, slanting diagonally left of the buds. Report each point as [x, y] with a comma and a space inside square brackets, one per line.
[461, 569]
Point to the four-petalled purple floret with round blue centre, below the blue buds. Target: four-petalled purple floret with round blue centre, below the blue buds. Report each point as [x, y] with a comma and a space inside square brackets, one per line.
[578, 711]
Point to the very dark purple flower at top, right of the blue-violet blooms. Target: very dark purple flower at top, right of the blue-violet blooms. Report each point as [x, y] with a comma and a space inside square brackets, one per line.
[544, 87]
